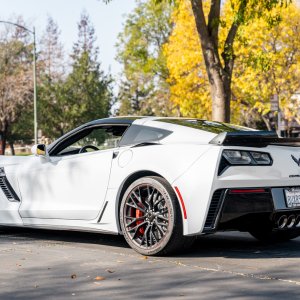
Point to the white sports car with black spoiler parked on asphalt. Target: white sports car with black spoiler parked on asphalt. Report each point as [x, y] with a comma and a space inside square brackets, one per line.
[158, 181]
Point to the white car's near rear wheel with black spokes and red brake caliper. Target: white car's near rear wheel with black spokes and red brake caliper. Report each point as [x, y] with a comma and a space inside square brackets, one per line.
[150, 218]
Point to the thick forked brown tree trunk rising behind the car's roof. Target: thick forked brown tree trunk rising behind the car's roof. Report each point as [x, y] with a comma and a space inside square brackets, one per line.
[219, 75]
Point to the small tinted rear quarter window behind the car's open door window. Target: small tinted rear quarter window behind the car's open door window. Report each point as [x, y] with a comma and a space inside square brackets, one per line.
[141, 134]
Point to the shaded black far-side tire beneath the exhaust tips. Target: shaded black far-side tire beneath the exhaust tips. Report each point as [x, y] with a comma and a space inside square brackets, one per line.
[270, 236]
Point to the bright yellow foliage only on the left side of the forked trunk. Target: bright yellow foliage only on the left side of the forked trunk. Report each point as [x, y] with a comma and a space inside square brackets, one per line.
[188, 79]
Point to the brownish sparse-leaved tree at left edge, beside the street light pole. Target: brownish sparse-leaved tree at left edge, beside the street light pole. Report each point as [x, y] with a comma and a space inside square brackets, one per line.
[16, 92]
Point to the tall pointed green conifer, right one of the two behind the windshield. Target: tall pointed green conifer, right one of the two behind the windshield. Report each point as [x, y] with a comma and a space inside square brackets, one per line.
[87, 89]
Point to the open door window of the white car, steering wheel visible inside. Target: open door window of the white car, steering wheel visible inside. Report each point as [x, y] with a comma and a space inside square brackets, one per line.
[92, 139]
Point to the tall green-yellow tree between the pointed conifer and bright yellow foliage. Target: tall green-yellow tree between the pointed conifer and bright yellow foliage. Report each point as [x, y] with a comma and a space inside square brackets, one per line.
[143, 88]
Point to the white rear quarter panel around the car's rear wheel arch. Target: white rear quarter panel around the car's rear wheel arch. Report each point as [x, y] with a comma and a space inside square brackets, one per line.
[179, 164]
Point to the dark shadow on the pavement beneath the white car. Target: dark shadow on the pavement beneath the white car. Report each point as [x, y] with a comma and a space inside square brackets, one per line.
[229, 244]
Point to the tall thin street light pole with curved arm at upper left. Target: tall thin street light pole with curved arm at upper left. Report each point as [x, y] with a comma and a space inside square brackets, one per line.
[34, 76]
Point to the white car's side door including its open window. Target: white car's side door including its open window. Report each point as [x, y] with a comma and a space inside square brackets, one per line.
[68, 185]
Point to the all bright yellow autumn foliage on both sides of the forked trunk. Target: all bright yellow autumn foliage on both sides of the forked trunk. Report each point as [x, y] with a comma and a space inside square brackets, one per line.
[266, 63]
